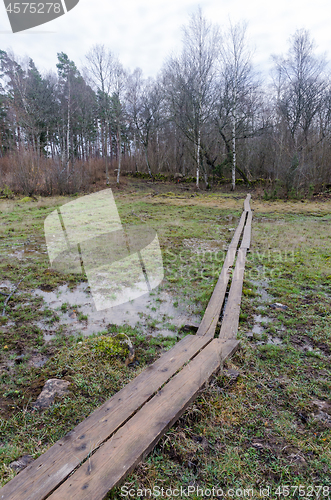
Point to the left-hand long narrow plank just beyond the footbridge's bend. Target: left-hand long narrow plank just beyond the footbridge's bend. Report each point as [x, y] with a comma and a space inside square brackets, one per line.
[209, 321]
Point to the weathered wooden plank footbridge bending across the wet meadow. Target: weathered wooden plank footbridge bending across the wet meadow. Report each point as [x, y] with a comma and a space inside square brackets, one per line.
[102, 450]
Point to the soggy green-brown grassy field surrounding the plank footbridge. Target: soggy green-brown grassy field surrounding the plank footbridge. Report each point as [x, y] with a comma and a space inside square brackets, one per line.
[268, 428]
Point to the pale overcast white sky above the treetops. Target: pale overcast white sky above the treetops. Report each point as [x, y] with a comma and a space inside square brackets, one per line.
[143, 32]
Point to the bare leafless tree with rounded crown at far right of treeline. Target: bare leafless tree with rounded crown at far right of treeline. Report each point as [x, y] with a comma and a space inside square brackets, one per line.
[301, 85]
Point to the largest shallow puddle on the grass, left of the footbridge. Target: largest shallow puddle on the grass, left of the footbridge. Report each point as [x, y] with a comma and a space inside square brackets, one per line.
[153, 313]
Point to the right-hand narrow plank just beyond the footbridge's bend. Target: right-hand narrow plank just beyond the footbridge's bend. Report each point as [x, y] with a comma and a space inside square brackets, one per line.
[230, 320]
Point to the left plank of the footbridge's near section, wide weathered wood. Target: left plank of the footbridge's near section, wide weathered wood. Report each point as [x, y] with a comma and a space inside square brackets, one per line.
[50, 469]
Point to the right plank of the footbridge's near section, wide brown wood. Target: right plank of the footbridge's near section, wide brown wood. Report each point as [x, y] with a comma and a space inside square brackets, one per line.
[113, 461]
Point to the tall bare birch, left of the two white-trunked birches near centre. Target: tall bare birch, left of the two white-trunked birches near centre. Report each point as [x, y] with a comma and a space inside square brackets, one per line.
[189, 81]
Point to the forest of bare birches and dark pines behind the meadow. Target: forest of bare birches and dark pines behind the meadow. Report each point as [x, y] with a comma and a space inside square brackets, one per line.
[208, 117]
